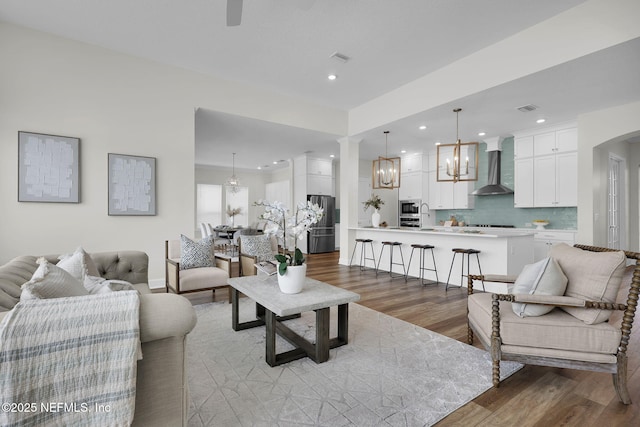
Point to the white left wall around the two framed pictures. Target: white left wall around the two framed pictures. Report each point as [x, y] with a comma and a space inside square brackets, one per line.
[115, 104]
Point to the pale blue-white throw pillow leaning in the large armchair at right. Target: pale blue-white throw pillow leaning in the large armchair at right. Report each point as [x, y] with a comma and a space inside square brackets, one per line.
[545, 277]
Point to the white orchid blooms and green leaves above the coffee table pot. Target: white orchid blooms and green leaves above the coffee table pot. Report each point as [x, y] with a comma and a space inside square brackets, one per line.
[289, 228]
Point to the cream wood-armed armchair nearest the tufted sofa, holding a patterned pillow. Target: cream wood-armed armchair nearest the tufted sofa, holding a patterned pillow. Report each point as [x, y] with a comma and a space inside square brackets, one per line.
[196, 270]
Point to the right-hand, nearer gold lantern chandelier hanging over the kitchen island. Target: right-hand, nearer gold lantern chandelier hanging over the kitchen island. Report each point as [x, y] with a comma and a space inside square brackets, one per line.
[453, 170]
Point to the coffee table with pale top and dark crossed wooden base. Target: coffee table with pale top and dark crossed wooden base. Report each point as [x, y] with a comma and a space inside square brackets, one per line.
[273, 307]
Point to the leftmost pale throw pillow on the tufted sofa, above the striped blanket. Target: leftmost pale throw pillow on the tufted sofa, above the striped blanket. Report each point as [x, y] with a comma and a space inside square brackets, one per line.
[51, 281]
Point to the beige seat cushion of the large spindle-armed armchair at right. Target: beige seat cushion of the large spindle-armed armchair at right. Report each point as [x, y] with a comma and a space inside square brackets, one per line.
[556, 334]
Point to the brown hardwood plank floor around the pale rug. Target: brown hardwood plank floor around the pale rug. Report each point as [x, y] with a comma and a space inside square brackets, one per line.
[534, 396]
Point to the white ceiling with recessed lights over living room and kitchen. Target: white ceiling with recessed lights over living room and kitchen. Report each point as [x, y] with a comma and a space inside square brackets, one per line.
[284, 45]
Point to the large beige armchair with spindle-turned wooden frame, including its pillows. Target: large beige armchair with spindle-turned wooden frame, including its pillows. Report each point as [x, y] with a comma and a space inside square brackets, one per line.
[588, 324]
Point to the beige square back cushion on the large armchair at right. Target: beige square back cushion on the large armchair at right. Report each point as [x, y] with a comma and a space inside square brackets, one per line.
[594, 276]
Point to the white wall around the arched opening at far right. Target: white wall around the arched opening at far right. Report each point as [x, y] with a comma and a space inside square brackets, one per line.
[611, 125]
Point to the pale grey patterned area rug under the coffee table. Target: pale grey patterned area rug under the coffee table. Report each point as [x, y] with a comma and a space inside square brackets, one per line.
[391, 373]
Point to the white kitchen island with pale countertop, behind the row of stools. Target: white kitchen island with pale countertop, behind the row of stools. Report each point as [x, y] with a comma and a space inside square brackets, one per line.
[503, 251]
